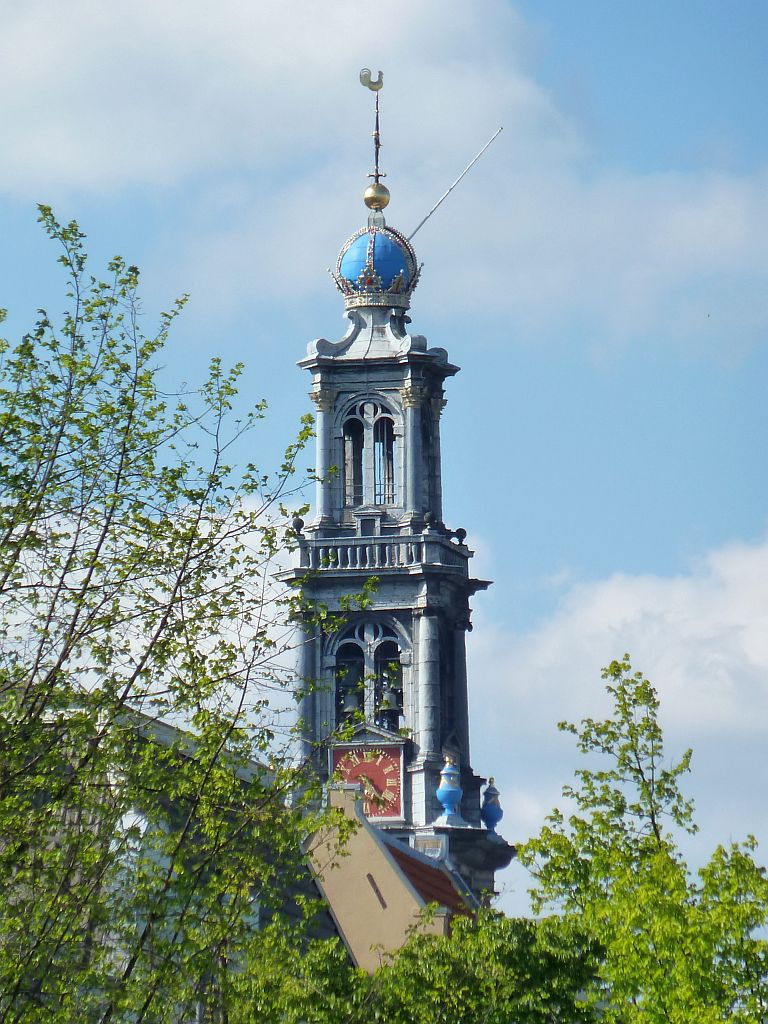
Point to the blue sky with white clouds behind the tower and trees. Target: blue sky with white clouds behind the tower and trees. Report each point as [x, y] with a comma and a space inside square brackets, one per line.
[602, 277]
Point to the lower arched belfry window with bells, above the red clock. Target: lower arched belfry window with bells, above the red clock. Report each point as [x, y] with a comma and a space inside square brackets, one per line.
[369, 676]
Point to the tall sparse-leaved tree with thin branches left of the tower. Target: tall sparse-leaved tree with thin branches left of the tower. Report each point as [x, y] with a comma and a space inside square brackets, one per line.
[137, 860]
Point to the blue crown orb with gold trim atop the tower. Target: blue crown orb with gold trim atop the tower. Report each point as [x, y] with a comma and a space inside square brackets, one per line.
[377, 268]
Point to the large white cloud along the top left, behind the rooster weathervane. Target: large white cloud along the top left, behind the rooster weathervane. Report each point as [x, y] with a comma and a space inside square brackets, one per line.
[114, 95]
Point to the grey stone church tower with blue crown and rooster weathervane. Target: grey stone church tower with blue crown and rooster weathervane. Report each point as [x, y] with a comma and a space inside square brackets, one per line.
[391, 672]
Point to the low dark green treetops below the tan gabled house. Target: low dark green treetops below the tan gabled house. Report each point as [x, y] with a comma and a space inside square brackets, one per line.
[491, 970]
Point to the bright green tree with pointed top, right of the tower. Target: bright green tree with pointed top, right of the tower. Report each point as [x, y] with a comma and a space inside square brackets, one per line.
[675, 947]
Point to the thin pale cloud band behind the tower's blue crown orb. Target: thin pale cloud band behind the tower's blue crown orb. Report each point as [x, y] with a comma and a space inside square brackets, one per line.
[681, 260]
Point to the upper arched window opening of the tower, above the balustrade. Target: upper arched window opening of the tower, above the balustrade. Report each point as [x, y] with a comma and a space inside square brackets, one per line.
[370, 456]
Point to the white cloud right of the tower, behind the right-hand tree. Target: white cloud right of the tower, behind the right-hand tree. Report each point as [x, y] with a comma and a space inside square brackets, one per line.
[702, 638]
